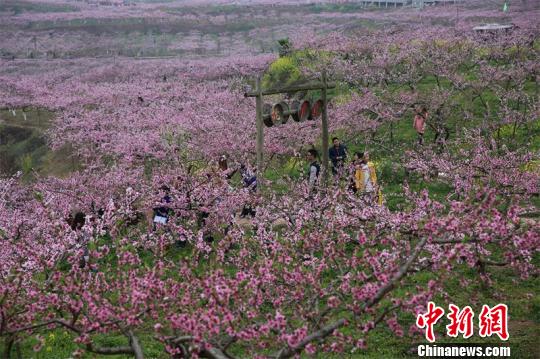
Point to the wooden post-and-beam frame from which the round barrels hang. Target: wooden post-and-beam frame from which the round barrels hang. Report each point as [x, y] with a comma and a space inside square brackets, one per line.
[259, 92]
